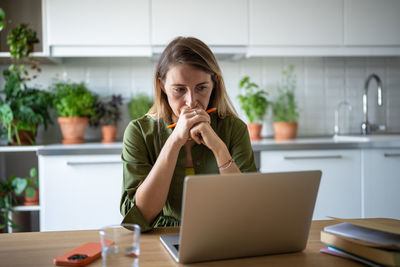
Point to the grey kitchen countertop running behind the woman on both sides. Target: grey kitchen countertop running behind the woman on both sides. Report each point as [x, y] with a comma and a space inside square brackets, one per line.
[301, 143]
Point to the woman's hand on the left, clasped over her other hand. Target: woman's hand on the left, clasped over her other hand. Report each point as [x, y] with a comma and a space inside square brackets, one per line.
[187, 119]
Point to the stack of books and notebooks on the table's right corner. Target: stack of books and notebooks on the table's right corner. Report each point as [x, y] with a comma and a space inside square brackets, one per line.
[372, 241]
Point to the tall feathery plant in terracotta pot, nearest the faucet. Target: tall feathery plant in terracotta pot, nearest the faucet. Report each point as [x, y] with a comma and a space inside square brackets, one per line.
[285, 107]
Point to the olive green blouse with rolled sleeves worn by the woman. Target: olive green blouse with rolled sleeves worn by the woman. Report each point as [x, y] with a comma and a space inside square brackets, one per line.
[142, 143]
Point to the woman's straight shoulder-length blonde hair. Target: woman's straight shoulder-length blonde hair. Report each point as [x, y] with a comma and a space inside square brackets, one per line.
[191, 51]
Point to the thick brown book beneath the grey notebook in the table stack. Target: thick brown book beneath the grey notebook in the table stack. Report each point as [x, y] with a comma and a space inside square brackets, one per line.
[378, 255]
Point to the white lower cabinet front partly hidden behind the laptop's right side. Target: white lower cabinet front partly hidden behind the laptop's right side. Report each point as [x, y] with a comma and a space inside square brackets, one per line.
[340, 188]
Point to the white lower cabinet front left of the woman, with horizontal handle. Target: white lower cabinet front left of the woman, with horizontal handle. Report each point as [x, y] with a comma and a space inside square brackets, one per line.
[79, 191]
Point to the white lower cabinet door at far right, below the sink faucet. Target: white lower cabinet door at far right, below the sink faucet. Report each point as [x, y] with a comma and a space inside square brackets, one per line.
[381, 183]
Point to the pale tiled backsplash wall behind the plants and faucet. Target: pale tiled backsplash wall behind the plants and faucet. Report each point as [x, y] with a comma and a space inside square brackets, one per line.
[322, 83]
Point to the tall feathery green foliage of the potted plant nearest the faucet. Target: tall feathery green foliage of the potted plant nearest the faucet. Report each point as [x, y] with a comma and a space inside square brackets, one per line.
[285, 106]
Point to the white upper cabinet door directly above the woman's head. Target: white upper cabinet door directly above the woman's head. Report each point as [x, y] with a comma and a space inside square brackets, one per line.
[222, 22]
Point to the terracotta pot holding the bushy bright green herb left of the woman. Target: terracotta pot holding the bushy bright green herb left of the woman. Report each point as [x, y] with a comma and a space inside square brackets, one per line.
[73, 129]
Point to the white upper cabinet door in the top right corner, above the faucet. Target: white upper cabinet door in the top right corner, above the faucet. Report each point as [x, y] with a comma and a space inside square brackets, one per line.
[372, 22]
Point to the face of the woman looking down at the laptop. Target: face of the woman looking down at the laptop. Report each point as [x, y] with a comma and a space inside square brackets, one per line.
[188, 86]
